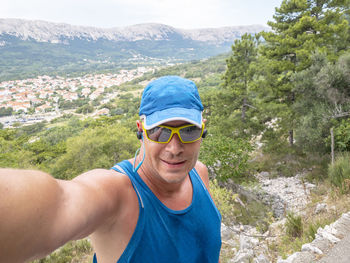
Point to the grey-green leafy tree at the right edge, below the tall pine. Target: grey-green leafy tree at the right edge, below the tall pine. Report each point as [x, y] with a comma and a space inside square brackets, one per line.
[325, 101]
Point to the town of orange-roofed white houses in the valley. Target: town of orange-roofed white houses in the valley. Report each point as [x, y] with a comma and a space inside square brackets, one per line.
[38, 99]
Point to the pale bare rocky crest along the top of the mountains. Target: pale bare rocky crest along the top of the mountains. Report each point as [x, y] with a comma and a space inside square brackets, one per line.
[43, 31]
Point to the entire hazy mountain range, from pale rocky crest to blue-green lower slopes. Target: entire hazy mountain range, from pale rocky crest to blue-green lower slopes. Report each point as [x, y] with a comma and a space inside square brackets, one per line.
[30, 47]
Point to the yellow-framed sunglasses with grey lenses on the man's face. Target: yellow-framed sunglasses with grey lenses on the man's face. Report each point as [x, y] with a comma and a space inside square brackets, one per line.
[163, 134]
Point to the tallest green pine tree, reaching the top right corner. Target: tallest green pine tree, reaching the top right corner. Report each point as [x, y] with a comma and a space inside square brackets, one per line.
[300, 28]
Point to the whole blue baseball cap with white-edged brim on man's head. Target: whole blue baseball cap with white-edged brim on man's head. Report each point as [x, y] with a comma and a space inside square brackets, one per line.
[170, 98]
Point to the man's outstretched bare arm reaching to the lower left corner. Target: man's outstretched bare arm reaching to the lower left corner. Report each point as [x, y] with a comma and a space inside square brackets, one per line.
[40, 213]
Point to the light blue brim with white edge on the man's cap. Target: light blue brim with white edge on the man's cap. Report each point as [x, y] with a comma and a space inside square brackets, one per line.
[174, 114]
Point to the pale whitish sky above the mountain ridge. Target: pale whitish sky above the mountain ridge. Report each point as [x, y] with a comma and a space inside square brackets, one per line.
[186, 14]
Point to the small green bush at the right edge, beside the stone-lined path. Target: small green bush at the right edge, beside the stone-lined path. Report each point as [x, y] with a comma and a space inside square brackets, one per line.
[339, 172]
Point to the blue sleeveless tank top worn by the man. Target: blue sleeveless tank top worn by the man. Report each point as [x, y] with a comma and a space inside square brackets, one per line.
[163, 235]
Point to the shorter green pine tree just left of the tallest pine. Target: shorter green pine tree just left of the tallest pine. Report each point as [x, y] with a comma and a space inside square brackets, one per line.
[230, 107]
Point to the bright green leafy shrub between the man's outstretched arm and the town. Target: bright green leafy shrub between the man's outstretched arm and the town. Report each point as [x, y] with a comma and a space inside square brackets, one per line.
[95, 147]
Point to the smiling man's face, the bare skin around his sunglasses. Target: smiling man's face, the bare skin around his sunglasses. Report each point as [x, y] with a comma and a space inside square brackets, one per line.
[170, 162]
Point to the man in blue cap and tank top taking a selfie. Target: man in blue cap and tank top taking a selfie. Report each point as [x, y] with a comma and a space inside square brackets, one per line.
[152, 208]
